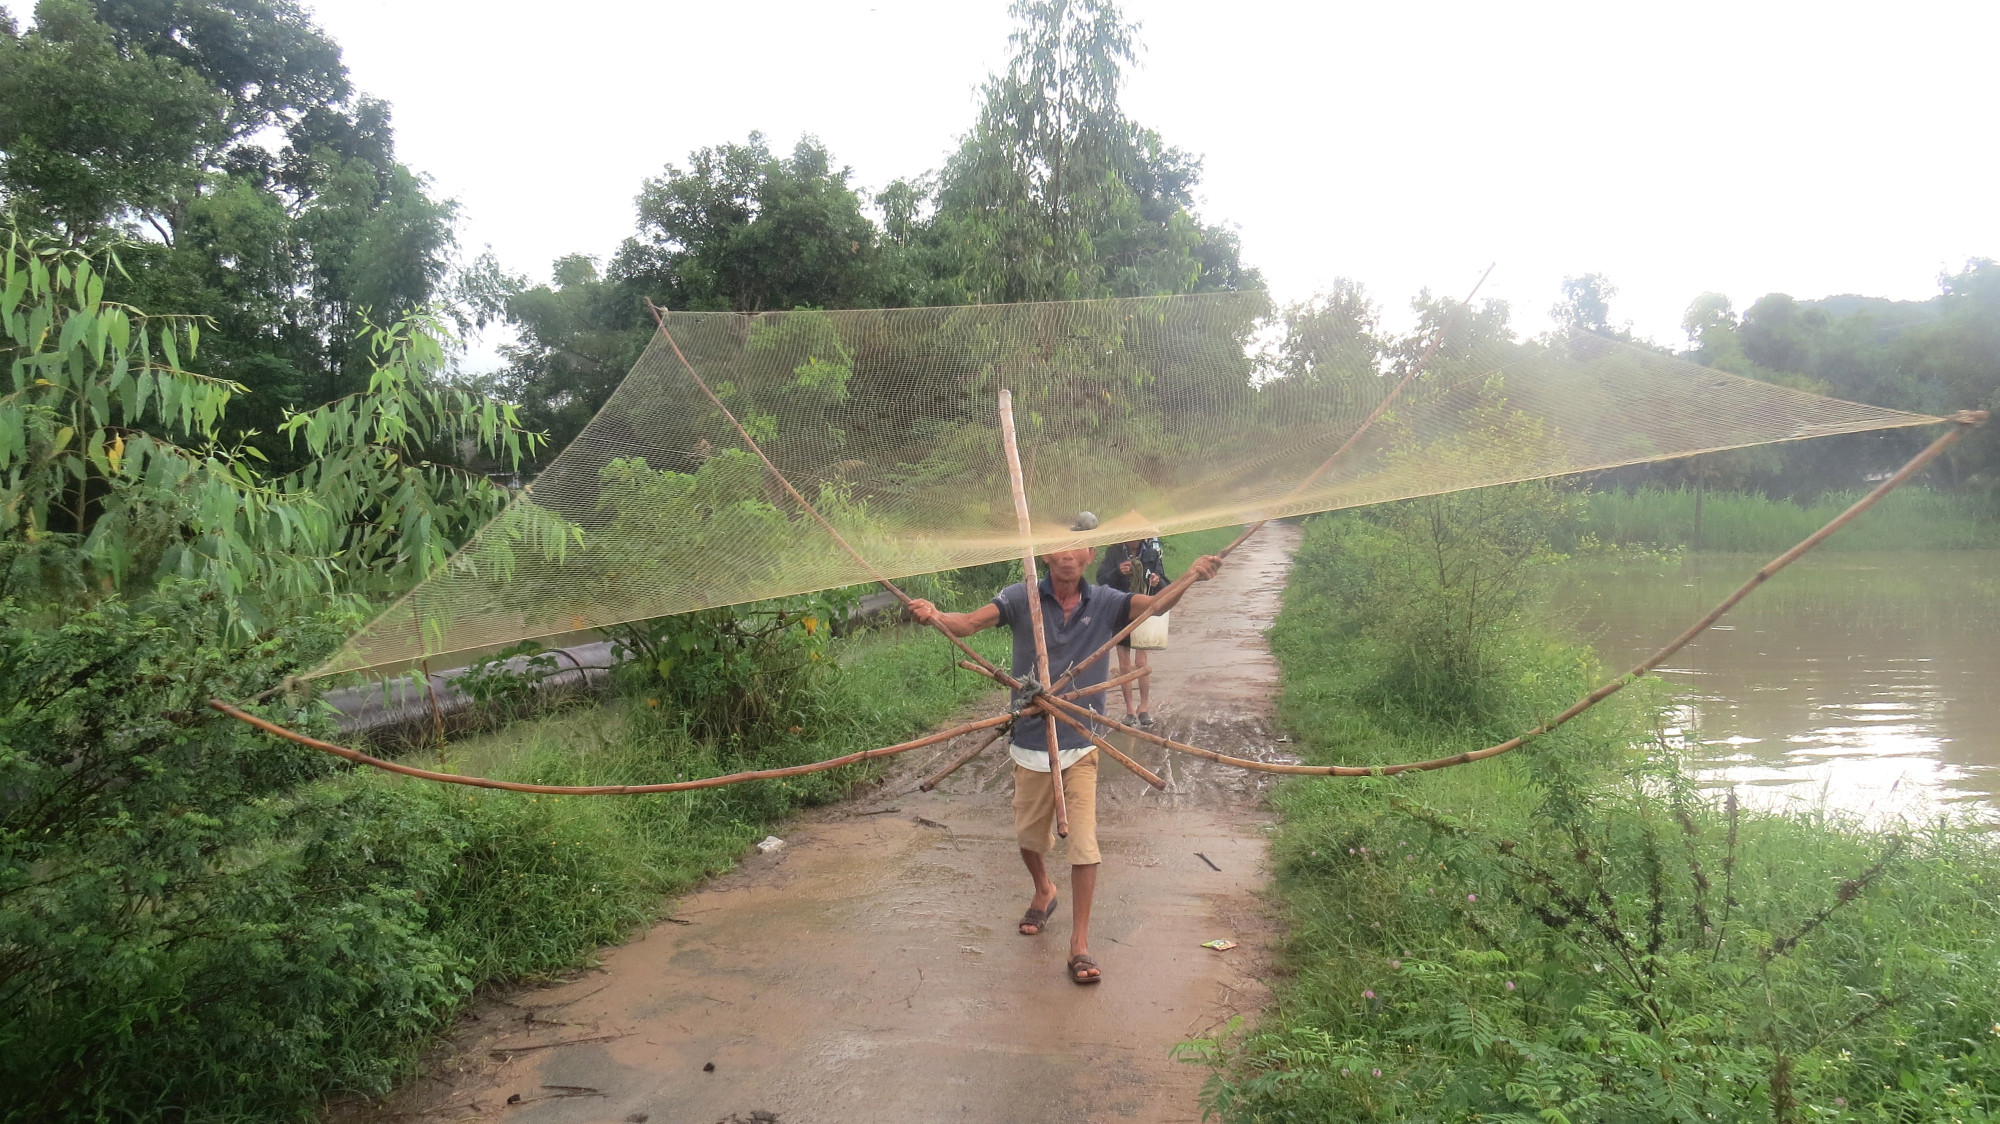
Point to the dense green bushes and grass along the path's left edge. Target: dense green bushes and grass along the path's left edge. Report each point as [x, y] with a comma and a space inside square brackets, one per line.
[207, 923]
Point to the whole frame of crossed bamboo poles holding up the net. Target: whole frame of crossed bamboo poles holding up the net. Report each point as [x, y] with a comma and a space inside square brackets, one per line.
[1057, 705]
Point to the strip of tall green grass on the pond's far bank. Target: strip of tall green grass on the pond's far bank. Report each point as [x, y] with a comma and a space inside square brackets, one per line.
[1909, 519]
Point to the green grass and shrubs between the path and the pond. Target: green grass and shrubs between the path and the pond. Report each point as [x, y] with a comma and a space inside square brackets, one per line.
[1577, 931]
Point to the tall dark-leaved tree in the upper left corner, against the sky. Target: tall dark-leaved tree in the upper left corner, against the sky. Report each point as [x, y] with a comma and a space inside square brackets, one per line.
[225, 141]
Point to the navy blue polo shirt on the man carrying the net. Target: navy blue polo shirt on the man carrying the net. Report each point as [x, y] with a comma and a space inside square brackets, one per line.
[1097, 619]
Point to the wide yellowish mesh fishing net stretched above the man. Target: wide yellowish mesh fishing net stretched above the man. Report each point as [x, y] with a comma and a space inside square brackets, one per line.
[1161, 415]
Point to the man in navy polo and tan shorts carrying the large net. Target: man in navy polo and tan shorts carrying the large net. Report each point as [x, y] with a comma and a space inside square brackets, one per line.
[1077, 621]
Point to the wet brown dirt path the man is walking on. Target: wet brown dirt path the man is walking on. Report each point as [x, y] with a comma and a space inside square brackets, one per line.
[871, 971]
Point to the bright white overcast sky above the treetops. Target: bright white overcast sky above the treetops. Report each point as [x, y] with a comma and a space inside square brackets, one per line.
[1737, 147]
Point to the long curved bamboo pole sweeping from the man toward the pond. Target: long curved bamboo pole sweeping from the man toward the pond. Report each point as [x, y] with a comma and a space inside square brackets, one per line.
[1963, 423]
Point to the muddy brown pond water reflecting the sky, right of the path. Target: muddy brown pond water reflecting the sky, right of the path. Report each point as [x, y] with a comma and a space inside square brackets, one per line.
[1865, 683]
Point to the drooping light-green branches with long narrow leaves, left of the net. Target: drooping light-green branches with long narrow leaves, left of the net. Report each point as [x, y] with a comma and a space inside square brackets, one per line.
[109, 441]
